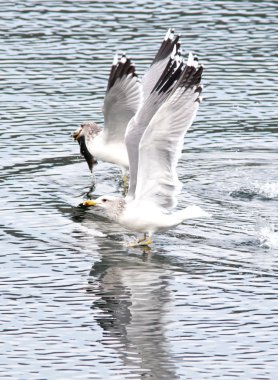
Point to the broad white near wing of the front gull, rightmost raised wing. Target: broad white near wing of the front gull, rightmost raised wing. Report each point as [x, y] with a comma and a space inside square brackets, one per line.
[162, 141]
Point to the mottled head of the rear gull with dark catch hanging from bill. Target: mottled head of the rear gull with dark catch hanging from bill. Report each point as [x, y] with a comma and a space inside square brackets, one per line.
[87, 131]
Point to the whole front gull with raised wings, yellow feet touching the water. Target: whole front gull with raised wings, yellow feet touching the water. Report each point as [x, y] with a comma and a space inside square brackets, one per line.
[154, 140]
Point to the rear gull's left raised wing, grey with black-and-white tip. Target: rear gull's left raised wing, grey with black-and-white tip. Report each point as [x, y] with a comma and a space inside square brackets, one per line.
[122, 99]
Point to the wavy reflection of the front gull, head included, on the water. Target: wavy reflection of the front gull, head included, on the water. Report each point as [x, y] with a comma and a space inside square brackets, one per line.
[130, 299]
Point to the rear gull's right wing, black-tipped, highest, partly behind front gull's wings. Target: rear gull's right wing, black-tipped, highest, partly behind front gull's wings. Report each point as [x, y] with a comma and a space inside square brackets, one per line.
[170, 46]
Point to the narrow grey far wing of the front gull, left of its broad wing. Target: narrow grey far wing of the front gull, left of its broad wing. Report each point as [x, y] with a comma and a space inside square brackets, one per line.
[142, 118]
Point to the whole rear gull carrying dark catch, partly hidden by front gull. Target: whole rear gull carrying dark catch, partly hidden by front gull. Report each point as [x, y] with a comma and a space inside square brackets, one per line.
[125, 94]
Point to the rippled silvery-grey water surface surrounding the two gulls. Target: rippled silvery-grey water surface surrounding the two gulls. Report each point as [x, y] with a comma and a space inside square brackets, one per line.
[76, 303]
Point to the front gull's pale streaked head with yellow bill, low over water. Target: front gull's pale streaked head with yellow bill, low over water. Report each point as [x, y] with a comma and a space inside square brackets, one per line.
[113, 206]
